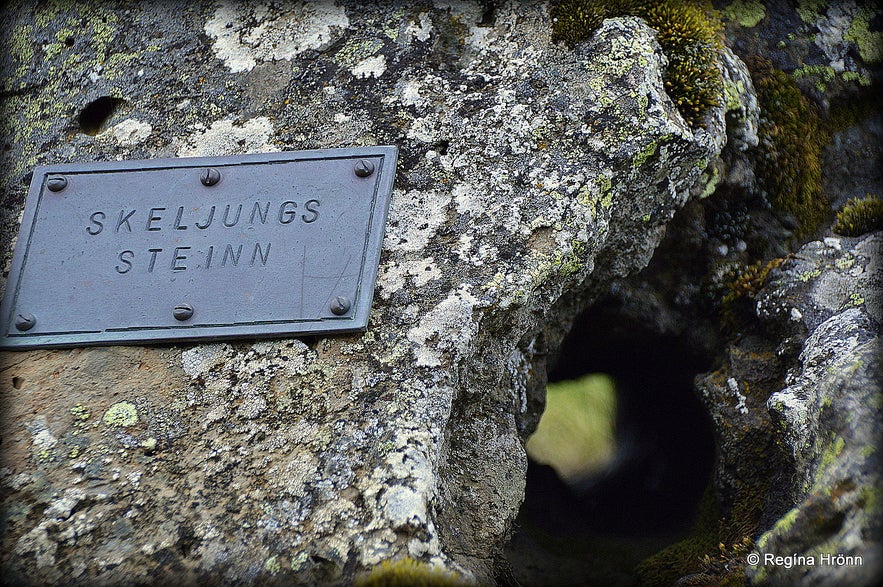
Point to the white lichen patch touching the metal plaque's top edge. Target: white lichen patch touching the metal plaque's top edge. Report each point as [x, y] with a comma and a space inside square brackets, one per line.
[227, 137]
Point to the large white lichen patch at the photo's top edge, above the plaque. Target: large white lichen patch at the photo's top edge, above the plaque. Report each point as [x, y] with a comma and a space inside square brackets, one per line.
[246, 33]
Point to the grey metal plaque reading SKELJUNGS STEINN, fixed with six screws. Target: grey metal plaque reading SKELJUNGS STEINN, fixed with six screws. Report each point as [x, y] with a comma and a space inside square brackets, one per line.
[274, 244]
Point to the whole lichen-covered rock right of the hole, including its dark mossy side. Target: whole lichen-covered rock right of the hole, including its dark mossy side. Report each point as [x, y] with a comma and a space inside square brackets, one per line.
[799, 415]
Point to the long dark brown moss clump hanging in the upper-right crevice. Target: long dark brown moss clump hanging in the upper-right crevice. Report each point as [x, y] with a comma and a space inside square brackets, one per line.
[788, 164]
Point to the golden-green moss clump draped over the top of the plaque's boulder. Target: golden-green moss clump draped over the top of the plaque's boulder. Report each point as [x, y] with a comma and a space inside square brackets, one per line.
[688, 32]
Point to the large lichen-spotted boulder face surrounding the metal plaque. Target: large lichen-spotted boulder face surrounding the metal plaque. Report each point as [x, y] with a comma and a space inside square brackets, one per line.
[530, 176]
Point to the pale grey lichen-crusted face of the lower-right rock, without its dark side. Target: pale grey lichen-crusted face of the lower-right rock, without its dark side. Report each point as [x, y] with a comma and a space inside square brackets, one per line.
[830, 410]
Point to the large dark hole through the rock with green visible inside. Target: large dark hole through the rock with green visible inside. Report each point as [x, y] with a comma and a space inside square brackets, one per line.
[621, 458]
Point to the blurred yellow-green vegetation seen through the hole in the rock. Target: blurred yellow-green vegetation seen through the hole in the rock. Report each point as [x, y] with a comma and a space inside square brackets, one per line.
[576, 434]
